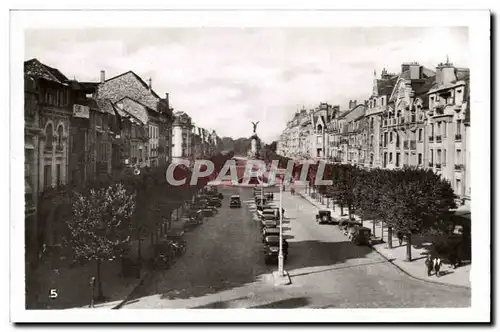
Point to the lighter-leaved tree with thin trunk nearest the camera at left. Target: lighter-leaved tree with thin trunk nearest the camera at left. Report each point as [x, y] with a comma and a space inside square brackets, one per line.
[101, 225]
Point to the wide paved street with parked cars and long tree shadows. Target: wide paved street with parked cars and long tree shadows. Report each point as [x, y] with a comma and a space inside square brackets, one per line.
[224, 268]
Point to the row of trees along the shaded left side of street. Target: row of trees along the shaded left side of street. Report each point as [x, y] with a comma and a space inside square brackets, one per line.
[98, 220]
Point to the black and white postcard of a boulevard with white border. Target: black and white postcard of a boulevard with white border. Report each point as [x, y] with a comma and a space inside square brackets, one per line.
[327, 165]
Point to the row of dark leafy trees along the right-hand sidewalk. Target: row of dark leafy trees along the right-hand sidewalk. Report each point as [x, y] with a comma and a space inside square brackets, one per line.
[412, 201]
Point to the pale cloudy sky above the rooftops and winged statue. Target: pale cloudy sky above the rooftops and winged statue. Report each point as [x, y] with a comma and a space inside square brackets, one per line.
[226, 77]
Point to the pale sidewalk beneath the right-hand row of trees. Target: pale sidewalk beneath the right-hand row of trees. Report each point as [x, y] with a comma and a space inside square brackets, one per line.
[397, 255]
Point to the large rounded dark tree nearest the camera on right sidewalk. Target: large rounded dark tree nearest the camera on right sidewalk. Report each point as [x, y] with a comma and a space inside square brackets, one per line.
[420, 200]
